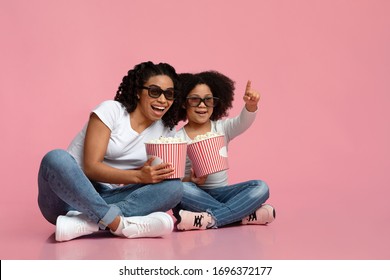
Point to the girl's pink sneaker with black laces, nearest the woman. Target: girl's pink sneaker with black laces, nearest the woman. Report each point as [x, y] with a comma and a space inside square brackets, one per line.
[193, 220]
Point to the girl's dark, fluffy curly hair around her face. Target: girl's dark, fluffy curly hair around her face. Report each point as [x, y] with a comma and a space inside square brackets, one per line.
[220, 85]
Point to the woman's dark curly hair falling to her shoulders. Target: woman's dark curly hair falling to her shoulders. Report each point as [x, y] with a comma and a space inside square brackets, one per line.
[136, 78]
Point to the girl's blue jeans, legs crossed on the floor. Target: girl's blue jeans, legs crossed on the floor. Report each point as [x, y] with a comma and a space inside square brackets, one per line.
[227, 204]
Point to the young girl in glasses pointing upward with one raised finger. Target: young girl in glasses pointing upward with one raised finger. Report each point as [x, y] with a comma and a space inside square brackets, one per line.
[209, 201]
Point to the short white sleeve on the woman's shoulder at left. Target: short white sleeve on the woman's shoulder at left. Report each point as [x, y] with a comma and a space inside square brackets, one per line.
[109, 112]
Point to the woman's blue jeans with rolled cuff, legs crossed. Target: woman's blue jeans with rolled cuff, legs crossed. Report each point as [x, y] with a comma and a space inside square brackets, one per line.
[63, 186]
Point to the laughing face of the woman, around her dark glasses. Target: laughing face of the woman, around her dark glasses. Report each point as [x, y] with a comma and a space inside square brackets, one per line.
[152, 109]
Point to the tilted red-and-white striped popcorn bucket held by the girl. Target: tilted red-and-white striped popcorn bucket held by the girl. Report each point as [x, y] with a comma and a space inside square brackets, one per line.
[208, 156]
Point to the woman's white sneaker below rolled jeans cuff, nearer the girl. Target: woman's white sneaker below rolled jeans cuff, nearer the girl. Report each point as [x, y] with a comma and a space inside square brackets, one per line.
[153, 225]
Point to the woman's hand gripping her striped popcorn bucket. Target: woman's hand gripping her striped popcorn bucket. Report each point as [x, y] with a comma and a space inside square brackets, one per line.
[155, 174]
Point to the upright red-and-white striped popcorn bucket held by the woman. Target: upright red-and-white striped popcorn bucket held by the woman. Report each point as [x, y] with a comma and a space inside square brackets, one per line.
[174, 153]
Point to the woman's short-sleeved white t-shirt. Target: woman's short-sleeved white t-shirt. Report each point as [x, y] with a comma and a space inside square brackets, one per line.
[126, 149]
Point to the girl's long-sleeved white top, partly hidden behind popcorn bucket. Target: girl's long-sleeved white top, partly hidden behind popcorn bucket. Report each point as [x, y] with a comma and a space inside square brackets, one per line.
[231, 128]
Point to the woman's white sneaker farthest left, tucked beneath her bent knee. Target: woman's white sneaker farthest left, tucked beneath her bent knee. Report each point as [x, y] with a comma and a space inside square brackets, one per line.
[74, 225]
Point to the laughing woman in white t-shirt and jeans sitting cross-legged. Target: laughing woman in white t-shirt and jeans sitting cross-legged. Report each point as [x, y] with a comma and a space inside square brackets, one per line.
[104, 179]
